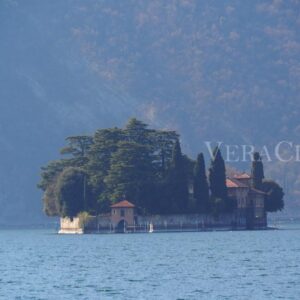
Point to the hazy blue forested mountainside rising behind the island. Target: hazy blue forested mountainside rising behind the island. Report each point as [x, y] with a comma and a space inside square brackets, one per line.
[214, 70]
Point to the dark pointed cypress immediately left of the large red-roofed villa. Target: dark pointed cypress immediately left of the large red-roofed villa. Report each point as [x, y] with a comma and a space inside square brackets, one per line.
[217, 176]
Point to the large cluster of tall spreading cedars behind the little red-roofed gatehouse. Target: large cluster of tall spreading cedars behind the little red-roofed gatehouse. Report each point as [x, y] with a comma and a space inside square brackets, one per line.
[132, 162]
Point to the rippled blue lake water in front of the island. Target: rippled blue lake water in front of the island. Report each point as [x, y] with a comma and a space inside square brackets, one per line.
[39, 264]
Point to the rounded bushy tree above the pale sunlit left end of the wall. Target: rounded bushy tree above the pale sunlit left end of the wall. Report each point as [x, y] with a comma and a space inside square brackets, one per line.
[70, 192]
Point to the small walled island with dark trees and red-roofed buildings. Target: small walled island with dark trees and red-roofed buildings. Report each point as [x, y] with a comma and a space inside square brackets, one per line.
[136, 179]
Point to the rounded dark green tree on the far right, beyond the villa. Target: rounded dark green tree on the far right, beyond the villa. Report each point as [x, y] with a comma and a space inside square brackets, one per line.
[274, 198]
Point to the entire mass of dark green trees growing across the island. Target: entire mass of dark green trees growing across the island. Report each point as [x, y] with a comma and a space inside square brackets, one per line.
[147, 167]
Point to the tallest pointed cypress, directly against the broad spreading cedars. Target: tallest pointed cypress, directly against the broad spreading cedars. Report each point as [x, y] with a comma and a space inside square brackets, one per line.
[177, 182]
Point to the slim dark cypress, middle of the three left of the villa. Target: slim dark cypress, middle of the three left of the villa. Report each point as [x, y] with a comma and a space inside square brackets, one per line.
[200, 185]
